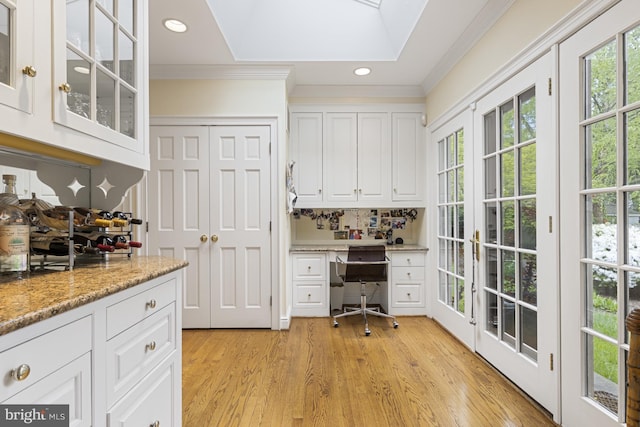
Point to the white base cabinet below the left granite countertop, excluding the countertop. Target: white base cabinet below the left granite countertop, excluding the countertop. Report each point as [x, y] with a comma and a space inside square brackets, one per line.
[115, 361]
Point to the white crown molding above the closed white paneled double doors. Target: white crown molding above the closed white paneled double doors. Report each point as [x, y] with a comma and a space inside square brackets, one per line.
[218, 72]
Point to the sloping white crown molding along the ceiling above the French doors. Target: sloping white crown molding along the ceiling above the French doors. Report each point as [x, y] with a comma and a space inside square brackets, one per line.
[489, 15]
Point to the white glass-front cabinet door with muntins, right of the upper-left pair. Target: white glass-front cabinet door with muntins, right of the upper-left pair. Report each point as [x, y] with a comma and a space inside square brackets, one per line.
[98, 66]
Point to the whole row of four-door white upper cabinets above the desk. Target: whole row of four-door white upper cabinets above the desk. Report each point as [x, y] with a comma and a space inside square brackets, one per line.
[358, 156]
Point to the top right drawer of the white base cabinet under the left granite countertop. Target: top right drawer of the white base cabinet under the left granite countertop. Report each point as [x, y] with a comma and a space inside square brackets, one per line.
[124, 314]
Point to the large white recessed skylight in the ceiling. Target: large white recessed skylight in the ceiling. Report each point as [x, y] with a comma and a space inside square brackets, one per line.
[312, 30]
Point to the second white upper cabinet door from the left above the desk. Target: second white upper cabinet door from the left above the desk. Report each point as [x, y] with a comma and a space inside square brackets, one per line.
[341, 157]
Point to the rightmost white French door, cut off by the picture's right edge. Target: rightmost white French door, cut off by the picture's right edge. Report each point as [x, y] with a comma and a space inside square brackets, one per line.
[600, 210]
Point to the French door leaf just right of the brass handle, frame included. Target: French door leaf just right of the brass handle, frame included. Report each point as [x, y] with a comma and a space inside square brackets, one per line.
[514, 170]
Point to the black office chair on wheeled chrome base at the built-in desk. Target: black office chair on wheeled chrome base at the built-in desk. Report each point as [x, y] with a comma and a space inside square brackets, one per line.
[364, 264]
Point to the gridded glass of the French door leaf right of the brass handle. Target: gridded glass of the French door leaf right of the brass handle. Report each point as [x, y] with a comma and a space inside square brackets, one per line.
[510, 282]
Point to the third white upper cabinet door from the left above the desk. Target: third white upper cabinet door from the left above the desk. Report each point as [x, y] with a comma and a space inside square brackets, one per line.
[374, 157]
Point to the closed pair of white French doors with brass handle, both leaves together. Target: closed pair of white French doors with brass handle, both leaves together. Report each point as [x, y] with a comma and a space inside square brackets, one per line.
[497, 246]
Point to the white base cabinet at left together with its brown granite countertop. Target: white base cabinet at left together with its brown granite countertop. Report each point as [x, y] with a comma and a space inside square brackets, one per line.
[104, 338]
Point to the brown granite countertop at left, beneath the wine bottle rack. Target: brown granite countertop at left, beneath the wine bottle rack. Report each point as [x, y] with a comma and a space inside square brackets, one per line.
[44, 294]
